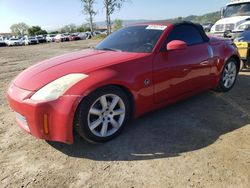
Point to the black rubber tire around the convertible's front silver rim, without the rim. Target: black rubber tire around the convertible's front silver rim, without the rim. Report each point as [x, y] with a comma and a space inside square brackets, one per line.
[81, 118]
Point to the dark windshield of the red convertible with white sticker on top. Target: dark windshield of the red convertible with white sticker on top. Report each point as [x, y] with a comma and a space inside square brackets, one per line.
[133, 39]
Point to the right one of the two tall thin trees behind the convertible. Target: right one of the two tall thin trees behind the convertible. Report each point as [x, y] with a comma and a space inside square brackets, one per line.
[111, 6]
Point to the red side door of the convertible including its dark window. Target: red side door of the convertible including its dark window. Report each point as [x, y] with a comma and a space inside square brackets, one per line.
[178, 72]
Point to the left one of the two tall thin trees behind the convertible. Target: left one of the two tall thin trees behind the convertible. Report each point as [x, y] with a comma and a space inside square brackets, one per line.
[88, 9]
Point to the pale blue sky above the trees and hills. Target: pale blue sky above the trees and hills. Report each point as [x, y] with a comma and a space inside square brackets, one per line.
[53, 14]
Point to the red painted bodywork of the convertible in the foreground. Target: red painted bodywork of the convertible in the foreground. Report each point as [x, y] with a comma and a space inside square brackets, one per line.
[171, 79]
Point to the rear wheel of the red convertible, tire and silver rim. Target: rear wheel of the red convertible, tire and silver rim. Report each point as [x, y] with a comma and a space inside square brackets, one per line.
[228, 75]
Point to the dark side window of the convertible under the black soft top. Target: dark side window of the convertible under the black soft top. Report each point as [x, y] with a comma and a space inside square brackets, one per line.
[186, 33]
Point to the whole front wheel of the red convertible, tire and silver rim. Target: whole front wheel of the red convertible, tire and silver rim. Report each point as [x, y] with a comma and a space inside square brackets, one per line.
[95, 119]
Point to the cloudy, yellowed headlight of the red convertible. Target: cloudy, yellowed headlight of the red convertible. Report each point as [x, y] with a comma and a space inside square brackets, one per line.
[56, 88]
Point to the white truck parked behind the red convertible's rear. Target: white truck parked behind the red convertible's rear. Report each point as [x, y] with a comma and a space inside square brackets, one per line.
[233, 17]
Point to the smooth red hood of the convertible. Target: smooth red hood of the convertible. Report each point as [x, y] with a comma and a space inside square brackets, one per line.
[84, 61]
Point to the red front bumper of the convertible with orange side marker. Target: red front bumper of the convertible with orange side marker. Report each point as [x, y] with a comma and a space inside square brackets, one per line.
[51, 120]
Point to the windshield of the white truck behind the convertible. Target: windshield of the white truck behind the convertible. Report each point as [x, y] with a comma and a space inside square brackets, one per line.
[242, 9]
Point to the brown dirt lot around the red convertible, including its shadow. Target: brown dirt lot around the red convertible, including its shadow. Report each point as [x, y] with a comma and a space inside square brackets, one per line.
[201, 142]
